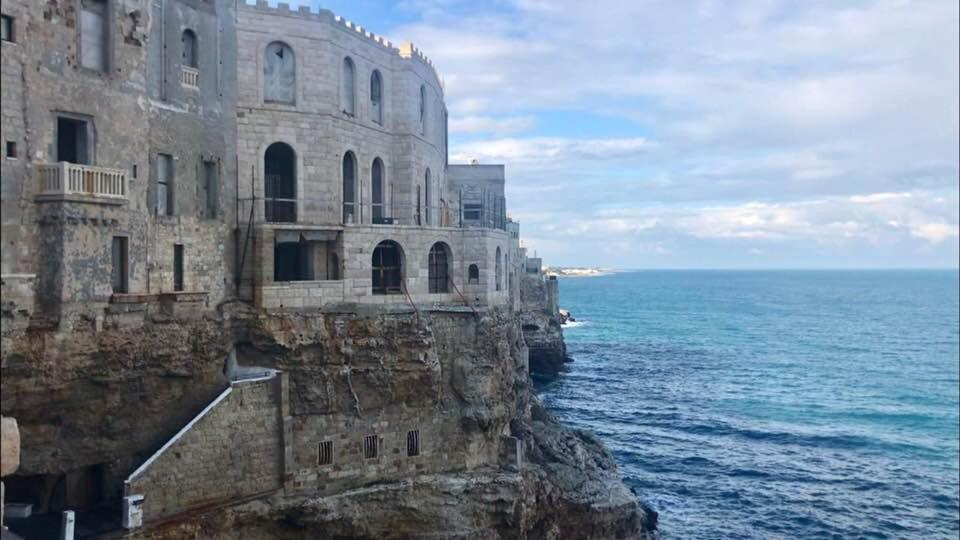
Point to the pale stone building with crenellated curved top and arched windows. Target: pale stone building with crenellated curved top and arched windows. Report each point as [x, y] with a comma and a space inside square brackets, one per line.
[345, 193]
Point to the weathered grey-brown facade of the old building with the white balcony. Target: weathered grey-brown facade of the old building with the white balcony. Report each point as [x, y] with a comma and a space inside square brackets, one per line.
[111, 123]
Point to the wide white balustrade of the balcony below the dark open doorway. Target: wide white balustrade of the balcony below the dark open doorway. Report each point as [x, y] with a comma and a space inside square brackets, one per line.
[71, 179]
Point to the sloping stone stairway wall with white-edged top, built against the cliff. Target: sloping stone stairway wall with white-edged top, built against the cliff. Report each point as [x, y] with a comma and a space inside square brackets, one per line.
[234, 450]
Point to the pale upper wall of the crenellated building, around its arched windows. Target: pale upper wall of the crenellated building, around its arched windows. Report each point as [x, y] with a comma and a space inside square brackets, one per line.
[318, 129]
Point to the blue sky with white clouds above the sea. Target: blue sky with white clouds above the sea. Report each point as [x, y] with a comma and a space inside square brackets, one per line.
[705, 133]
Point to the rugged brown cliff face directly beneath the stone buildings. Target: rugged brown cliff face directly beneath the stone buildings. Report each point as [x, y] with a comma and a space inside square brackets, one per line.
[497, 466]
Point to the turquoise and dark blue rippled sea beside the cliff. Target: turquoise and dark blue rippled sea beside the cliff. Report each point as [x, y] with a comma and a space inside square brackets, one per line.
[773, 404]
